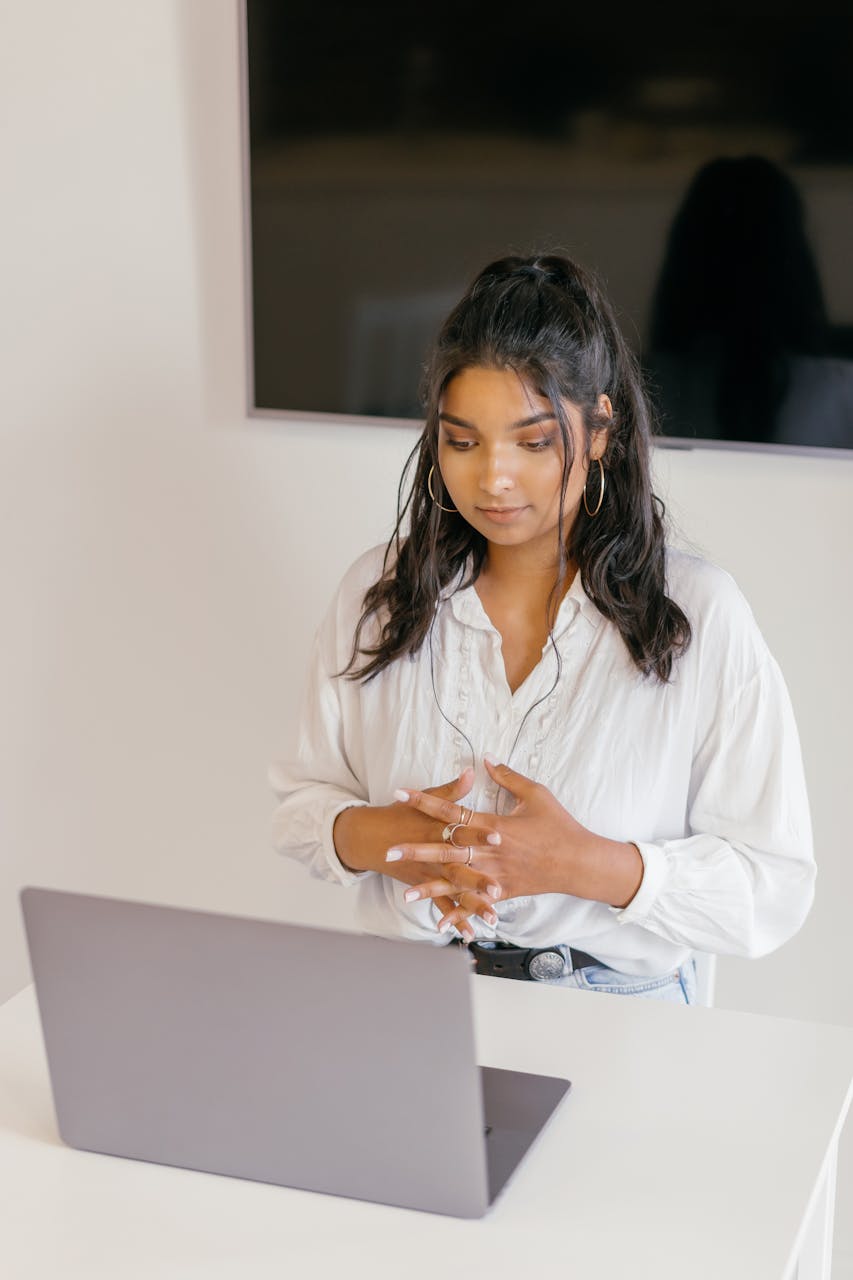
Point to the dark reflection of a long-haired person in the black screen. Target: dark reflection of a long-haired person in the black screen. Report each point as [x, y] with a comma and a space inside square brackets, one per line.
[740, 331]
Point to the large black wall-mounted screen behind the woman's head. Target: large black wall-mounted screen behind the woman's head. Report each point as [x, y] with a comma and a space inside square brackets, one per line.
[703, 163]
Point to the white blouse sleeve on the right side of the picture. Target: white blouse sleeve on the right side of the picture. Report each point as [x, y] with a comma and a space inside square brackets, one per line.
[743, 881]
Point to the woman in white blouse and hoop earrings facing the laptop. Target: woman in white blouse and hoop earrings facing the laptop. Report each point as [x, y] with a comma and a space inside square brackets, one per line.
[530, 724]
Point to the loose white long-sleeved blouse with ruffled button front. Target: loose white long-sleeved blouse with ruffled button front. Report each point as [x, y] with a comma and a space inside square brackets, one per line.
[704, 775]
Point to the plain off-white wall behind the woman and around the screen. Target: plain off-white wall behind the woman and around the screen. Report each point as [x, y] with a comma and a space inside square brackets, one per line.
[165, 559]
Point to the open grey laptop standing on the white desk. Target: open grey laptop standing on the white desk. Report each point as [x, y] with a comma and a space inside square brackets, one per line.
[308, 1058]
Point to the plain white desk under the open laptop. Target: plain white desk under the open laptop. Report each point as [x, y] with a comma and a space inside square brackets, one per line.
[696, 1144]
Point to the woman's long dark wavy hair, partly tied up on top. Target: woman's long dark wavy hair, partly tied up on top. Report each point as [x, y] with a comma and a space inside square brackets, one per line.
[548, 321]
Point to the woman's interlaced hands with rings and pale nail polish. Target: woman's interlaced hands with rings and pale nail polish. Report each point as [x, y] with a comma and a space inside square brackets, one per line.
[523, 853]
